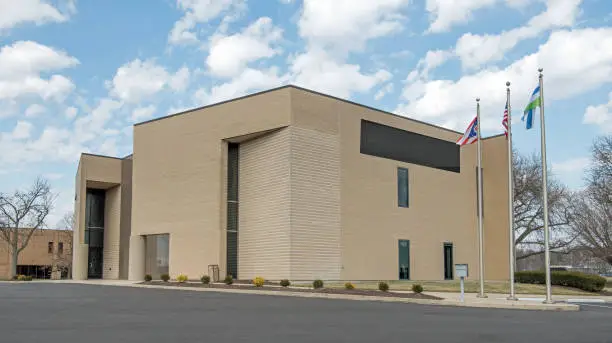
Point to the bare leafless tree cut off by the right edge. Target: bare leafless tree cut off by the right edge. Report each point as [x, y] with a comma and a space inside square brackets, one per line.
[594, 217]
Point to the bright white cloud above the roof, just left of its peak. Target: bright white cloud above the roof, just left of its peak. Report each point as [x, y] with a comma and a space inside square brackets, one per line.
[229, 55]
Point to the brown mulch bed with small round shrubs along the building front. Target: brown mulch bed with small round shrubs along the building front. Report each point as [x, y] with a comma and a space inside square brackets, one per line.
[362, 292]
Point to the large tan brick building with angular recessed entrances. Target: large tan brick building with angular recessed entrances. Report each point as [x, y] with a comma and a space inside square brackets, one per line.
[290, 183]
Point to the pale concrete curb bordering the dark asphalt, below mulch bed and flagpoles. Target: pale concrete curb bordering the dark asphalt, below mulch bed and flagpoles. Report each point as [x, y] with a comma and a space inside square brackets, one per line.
[509, 305]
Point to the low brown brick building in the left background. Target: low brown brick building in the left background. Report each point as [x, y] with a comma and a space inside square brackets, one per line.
[47, 255]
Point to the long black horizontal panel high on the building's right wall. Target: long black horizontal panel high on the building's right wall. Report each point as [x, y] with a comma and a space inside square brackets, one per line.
[410, 147]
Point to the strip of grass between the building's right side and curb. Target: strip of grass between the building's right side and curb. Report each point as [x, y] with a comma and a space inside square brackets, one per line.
[471, 286]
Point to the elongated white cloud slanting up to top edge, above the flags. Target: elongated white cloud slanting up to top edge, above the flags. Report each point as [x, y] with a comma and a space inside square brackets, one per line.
[475, 50]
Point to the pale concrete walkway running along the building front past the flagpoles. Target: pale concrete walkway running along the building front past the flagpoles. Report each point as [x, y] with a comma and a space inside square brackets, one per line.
[525, 302]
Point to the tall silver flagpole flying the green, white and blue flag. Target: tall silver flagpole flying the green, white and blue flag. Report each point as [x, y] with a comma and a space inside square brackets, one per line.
[545, 191]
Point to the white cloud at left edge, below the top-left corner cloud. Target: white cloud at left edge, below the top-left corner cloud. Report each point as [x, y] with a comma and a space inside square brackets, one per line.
[22, 64]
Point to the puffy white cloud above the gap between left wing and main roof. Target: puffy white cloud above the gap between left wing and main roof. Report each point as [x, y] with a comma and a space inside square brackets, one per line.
[139, 80]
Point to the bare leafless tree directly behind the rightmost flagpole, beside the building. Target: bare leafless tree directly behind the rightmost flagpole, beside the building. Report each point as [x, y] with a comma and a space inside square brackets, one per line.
[529, 212]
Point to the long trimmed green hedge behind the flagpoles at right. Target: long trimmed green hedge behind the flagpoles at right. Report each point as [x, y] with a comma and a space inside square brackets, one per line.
[586, 282]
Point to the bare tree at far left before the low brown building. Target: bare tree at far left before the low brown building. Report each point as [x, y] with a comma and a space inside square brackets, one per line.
[21, 214]
